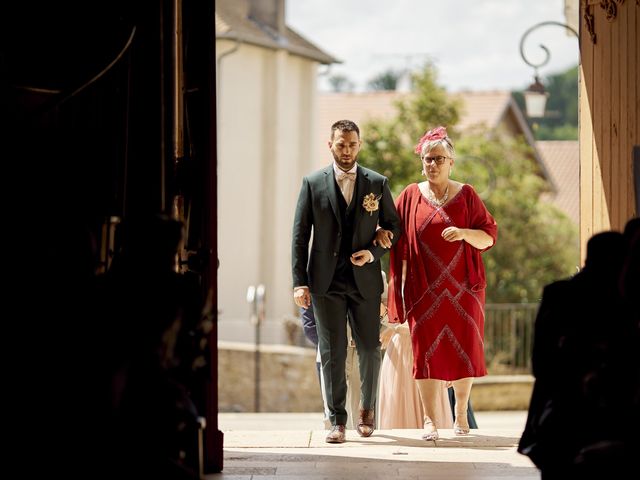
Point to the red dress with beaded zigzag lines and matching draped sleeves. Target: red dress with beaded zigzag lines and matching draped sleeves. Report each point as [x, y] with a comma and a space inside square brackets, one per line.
[444, 288]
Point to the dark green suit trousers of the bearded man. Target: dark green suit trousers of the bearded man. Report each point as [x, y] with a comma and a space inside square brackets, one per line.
[331, 316]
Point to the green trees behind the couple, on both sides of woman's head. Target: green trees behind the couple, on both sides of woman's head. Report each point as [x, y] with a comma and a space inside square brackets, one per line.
[536, 243]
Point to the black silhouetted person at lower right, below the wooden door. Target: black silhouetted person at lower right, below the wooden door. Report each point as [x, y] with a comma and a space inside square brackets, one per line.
[580, 420]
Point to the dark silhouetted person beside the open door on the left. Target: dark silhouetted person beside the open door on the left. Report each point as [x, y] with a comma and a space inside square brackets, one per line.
[145, 302]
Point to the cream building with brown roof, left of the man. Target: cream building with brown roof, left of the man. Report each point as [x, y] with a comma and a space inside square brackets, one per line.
[266, 86]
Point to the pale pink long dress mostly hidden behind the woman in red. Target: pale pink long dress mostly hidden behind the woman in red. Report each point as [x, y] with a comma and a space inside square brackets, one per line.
[398, 398]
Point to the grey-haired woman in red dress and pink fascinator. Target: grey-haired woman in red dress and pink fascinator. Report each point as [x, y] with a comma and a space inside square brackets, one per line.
[437, 279]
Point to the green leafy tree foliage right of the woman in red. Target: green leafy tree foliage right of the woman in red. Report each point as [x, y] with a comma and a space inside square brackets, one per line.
[537, 243]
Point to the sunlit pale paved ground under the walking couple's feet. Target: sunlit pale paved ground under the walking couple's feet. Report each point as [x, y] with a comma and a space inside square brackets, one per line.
[269, 446]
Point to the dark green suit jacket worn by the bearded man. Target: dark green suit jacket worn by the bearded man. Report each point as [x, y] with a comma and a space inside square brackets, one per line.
[318, 210]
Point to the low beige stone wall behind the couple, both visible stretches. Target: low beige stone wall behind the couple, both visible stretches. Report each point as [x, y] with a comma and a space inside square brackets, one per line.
[289, 383]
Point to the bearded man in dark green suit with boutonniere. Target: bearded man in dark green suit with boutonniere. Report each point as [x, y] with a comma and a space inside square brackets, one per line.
[343, 204]
